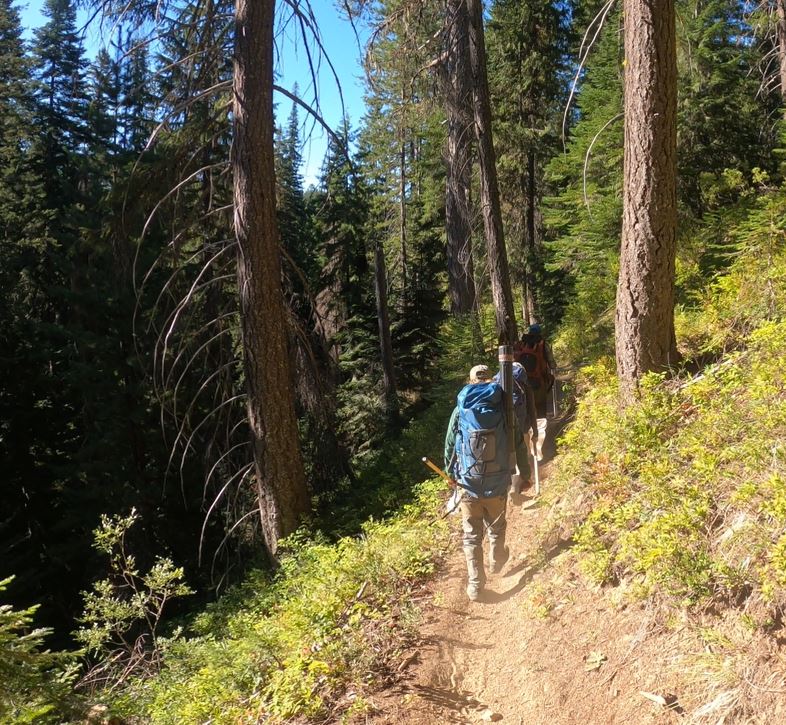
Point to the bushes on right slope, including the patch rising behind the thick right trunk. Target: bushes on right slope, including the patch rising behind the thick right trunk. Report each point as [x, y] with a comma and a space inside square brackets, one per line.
[683, 487]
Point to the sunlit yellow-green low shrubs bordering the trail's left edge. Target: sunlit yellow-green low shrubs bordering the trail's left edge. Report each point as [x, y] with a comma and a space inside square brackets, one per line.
[286, 647]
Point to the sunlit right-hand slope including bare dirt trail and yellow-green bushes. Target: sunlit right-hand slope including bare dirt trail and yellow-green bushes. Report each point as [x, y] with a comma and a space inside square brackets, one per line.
[649, 585]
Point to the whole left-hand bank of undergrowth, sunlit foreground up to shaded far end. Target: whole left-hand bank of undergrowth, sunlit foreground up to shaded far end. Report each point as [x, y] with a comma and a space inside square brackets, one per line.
[338, 610]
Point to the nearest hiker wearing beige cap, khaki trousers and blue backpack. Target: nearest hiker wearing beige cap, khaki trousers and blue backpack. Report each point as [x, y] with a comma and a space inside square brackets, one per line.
[478, 460]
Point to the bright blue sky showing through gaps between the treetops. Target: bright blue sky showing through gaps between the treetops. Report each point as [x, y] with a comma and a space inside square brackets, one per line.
[340, 46]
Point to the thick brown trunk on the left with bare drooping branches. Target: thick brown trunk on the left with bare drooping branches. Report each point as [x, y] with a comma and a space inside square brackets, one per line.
[280, 479]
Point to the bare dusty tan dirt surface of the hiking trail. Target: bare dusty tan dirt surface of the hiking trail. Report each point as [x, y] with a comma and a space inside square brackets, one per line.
[521, 658]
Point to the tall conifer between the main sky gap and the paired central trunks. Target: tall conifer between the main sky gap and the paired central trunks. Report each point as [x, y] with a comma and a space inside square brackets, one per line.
[407, 207]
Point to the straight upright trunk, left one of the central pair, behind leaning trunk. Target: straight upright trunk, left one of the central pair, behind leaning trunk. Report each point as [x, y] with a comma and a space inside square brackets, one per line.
[458, 159]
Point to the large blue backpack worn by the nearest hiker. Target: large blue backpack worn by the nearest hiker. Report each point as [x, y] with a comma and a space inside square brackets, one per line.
[483, 464]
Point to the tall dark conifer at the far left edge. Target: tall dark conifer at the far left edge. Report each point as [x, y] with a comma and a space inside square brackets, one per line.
[28, 417]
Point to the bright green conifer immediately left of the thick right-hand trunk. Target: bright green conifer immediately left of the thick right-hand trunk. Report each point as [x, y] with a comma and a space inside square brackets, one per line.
[582, 216]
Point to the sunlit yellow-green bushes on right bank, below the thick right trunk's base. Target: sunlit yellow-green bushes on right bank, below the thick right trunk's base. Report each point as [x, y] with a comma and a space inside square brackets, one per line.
[686, 487]
